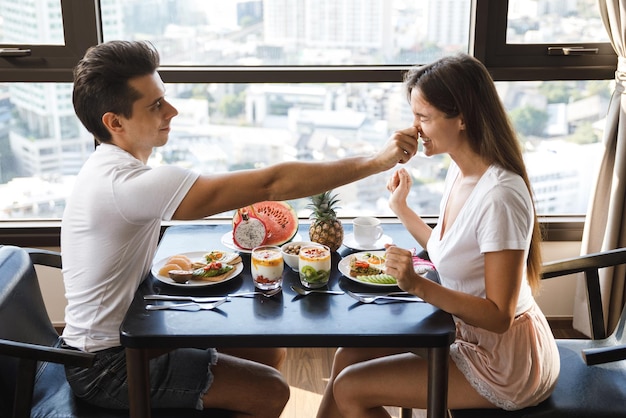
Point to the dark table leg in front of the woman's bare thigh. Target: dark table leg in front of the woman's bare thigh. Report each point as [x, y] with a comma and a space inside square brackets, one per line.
[438, 382]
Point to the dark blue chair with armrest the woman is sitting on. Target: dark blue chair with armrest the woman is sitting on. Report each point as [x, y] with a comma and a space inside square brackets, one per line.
[592, 383]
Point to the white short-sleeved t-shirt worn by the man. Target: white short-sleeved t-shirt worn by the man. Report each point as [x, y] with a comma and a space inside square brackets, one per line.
[109, 234]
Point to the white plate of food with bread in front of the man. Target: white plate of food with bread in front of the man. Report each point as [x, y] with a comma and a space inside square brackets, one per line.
[199, 268]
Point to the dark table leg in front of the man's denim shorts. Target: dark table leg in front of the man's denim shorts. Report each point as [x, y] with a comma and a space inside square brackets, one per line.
[138, 382]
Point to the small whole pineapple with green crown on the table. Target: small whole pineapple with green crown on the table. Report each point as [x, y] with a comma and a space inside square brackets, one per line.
[326, 228]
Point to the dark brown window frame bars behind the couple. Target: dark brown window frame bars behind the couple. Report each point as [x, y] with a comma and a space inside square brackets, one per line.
[83, 28]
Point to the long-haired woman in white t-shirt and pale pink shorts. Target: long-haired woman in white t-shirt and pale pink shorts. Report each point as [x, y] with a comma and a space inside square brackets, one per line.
[486, 247]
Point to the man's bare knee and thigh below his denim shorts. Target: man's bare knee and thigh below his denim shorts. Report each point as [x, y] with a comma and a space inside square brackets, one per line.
[248, 388]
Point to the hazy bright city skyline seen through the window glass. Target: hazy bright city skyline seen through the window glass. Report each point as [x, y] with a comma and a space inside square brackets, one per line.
[228, 126]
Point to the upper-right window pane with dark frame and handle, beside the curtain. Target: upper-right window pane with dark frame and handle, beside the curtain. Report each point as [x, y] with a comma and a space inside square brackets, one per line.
[543, 40]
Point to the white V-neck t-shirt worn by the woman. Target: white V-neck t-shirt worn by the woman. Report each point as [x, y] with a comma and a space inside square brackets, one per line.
[498, 215]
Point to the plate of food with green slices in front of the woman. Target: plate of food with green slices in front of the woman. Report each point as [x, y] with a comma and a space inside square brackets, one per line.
[367, 268]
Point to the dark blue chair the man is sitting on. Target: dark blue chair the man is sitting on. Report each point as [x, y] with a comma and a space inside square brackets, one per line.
[32, 374]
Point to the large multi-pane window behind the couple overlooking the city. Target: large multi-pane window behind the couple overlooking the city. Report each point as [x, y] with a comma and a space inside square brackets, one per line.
[262, 81]
